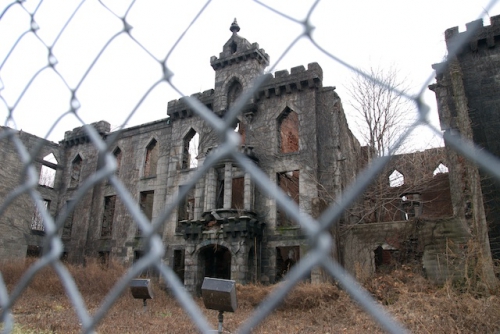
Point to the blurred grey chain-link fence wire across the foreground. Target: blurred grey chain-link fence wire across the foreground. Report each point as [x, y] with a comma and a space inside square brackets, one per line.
[322, 243]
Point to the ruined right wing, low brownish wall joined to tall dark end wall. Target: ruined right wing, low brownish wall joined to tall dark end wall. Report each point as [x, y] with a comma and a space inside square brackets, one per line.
[446, 208]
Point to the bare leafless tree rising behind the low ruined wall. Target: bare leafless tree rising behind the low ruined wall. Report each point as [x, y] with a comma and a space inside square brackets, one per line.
[381, 110]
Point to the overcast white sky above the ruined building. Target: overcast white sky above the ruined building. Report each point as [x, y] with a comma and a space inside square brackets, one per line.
[363, 33]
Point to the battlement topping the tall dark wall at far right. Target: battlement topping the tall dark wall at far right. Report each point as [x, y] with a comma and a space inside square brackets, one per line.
[476, 34]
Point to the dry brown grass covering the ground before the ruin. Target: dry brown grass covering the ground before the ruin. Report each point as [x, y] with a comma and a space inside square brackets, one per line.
[420, 306]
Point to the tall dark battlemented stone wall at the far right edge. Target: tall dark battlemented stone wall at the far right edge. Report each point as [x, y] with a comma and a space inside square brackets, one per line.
[468, 94]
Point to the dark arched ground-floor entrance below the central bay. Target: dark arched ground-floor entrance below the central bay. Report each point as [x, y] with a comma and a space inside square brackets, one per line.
[216, 261]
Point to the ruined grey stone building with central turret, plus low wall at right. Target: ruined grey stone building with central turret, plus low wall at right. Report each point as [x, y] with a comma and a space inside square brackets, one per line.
[293, 129]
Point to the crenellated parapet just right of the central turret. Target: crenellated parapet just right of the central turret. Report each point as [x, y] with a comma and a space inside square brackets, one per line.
[296, 80]
